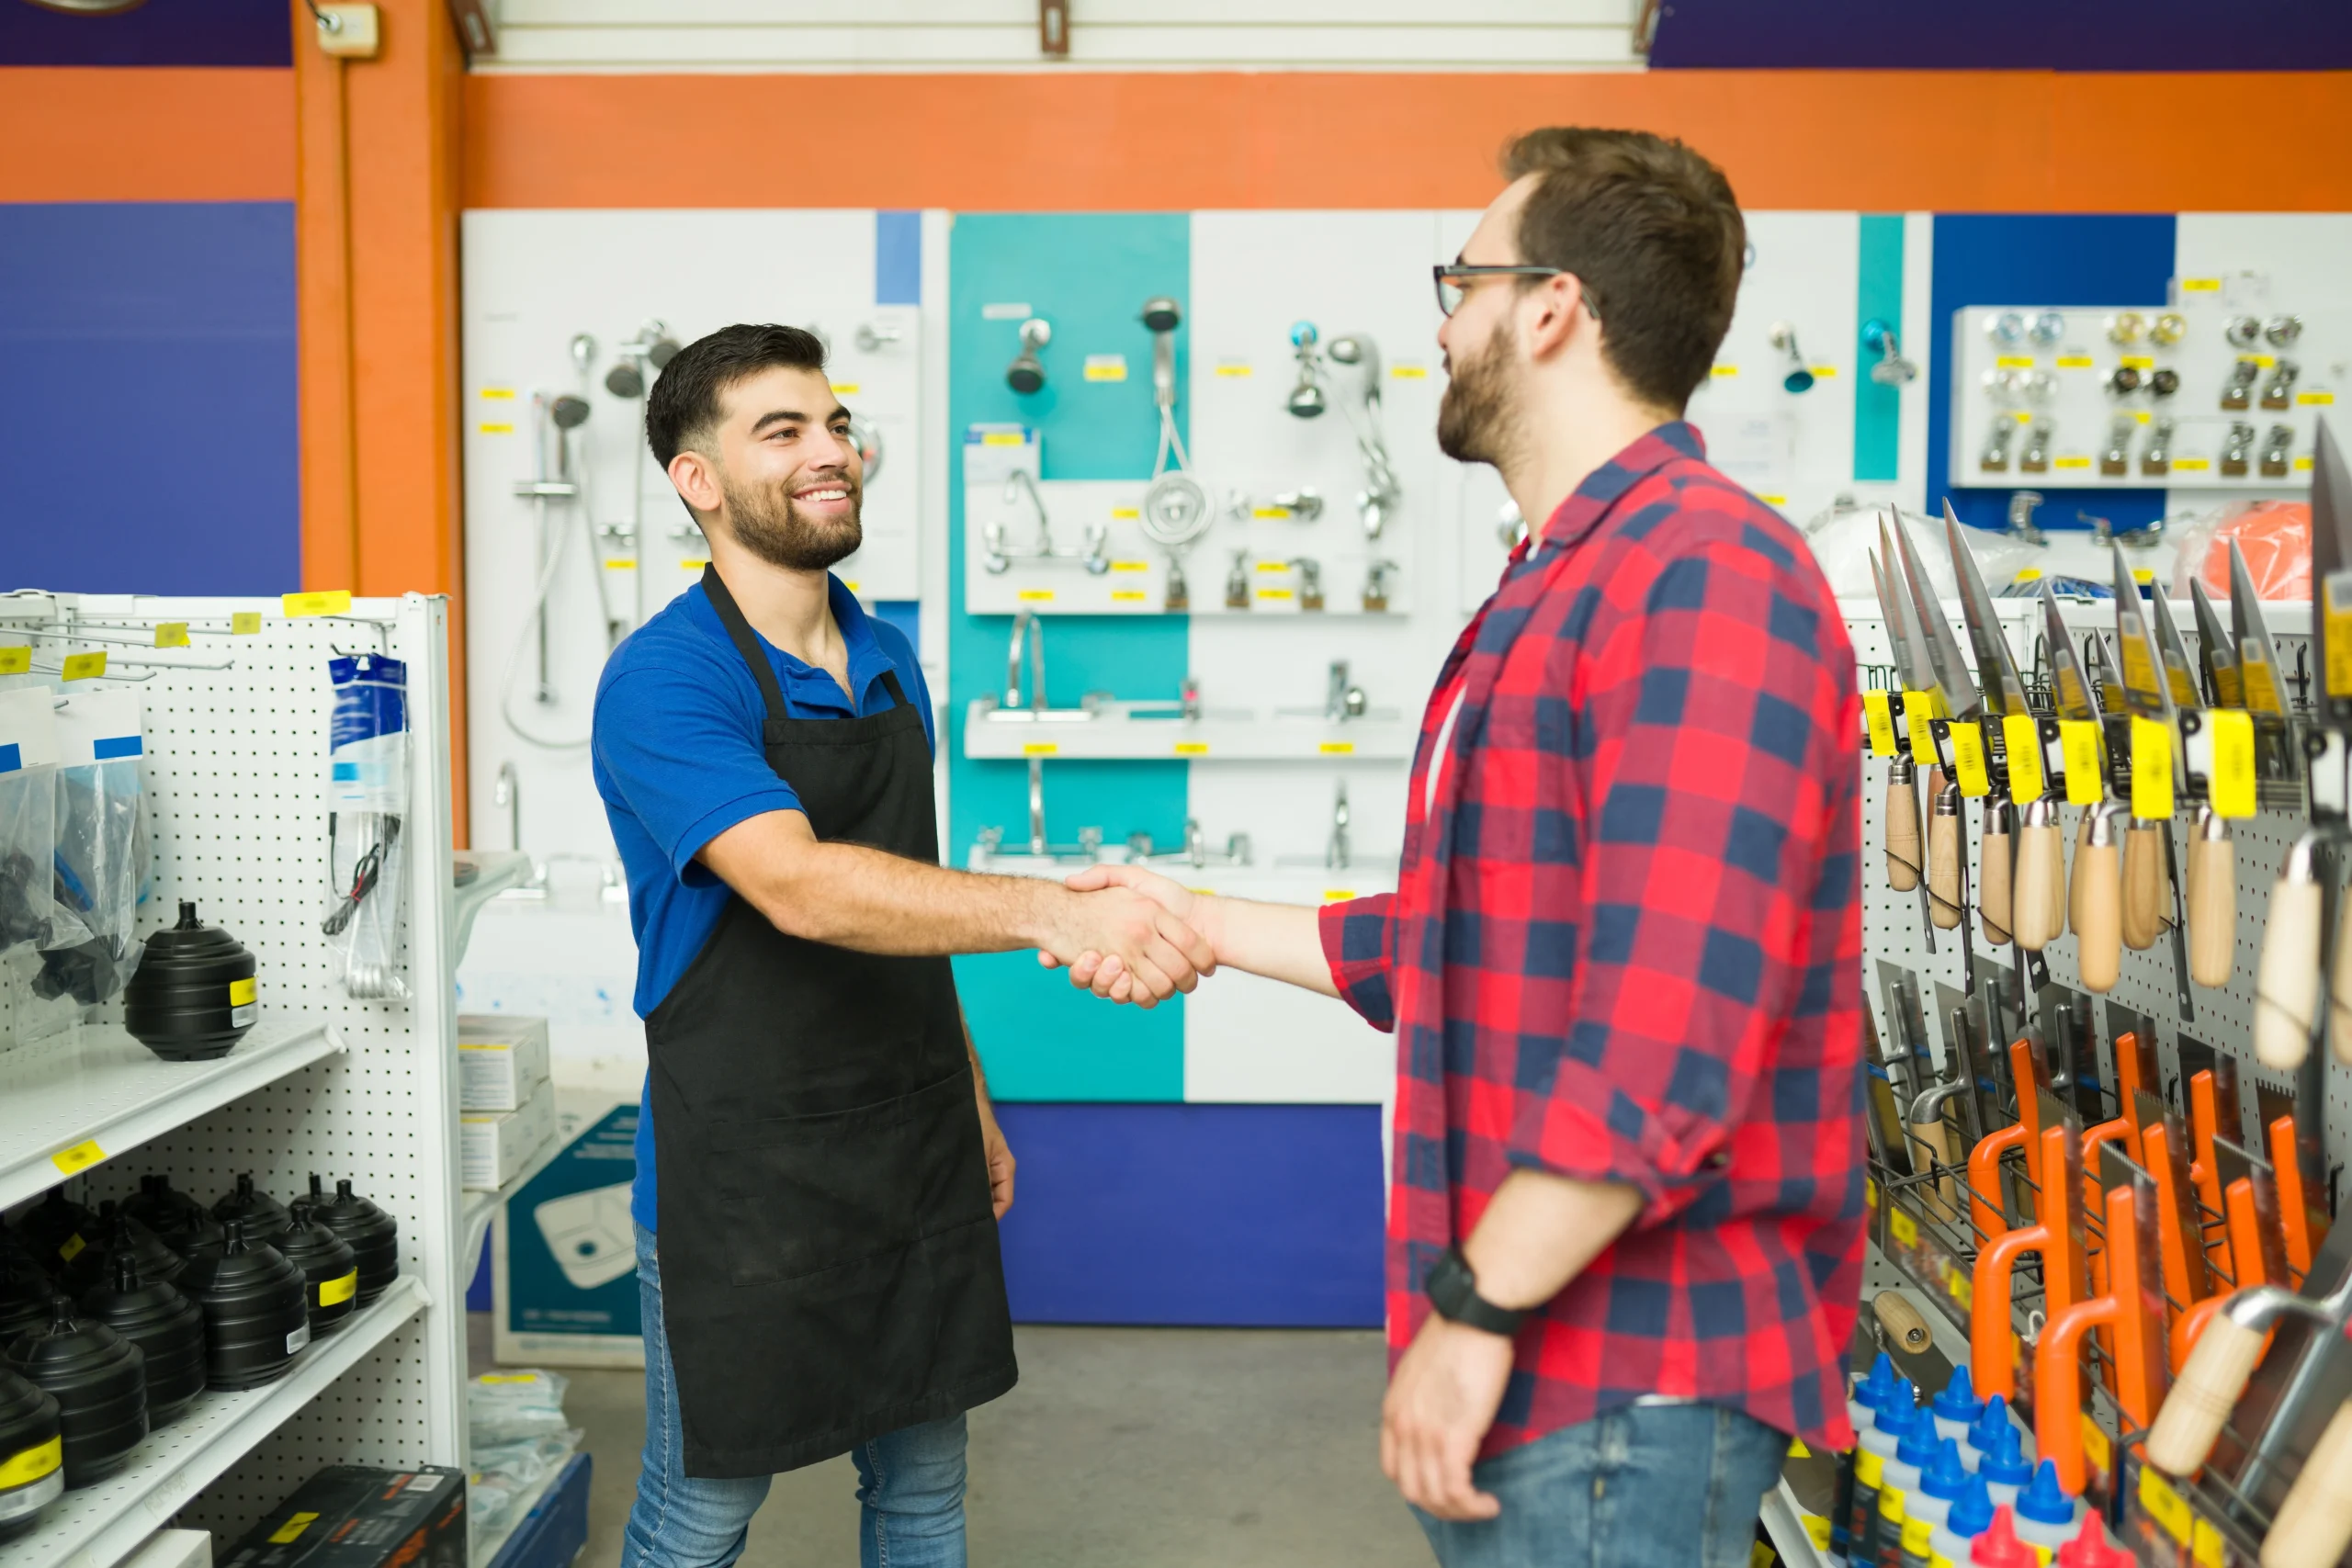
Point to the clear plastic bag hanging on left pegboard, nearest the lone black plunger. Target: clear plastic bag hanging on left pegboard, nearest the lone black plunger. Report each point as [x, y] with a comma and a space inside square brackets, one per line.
[102, 852]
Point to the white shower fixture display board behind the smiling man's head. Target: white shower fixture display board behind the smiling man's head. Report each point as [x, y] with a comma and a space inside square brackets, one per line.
[622, 542]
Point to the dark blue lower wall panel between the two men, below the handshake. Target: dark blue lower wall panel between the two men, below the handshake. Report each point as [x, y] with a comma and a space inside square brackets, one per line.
[1196, 1214]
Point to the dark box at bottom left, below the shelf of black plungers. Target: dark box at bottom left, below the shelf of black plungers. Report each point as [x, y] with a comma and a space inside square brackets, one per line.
[354, 1517]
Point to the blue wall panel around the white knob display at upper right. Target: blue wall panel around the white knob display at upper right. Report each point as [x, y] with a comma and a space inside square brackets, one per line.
[2038, 260]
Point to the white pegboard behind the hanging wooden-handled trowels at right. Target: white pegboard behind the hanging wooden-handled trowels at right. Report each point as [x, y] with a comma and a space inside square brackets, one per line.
[1895, 923]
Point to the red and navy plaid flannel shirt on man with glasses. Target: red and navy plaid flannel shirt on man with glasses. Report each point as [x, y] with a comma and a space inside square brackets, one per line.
[1626, 949]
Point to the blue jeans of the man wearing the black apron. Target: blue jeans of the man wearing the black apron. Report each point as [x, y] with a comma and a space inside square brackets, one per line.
[911, 1482]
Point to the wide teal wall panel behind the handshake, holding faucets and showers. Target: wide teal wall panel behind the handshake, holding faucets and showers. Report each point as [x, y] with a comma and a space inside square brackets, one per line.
[1090, 276]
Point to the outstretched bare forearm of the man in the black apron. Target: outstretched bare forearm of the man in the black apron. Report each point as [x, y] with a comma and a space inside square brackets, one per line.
[874, 902]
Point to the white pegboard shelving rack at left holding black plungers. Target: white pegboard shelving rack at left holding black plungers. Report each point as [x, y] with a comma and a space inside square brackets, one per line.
[236, 746]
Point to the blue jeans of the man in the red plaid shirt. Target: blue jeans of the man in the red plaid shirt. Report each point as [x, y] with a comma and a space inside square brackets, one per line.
[1643, 1487]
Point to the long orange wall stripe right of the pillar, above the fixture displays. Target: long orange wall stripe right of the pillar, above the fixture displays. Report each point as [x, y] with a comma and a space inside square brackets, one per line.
[1871, 140]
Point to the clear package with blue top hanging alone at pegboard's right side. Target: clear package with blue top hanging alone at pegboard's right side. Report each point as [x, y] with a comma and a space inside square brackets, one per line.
[368, 796]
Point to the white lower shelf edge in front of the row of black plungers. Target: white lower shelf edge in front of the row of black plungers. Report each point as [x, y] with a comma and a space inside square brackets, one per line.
[145, 1496]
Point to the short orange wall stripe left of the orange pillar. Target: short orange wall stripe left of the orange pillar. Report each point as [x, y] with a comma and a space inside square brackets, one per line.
[147, 135]
